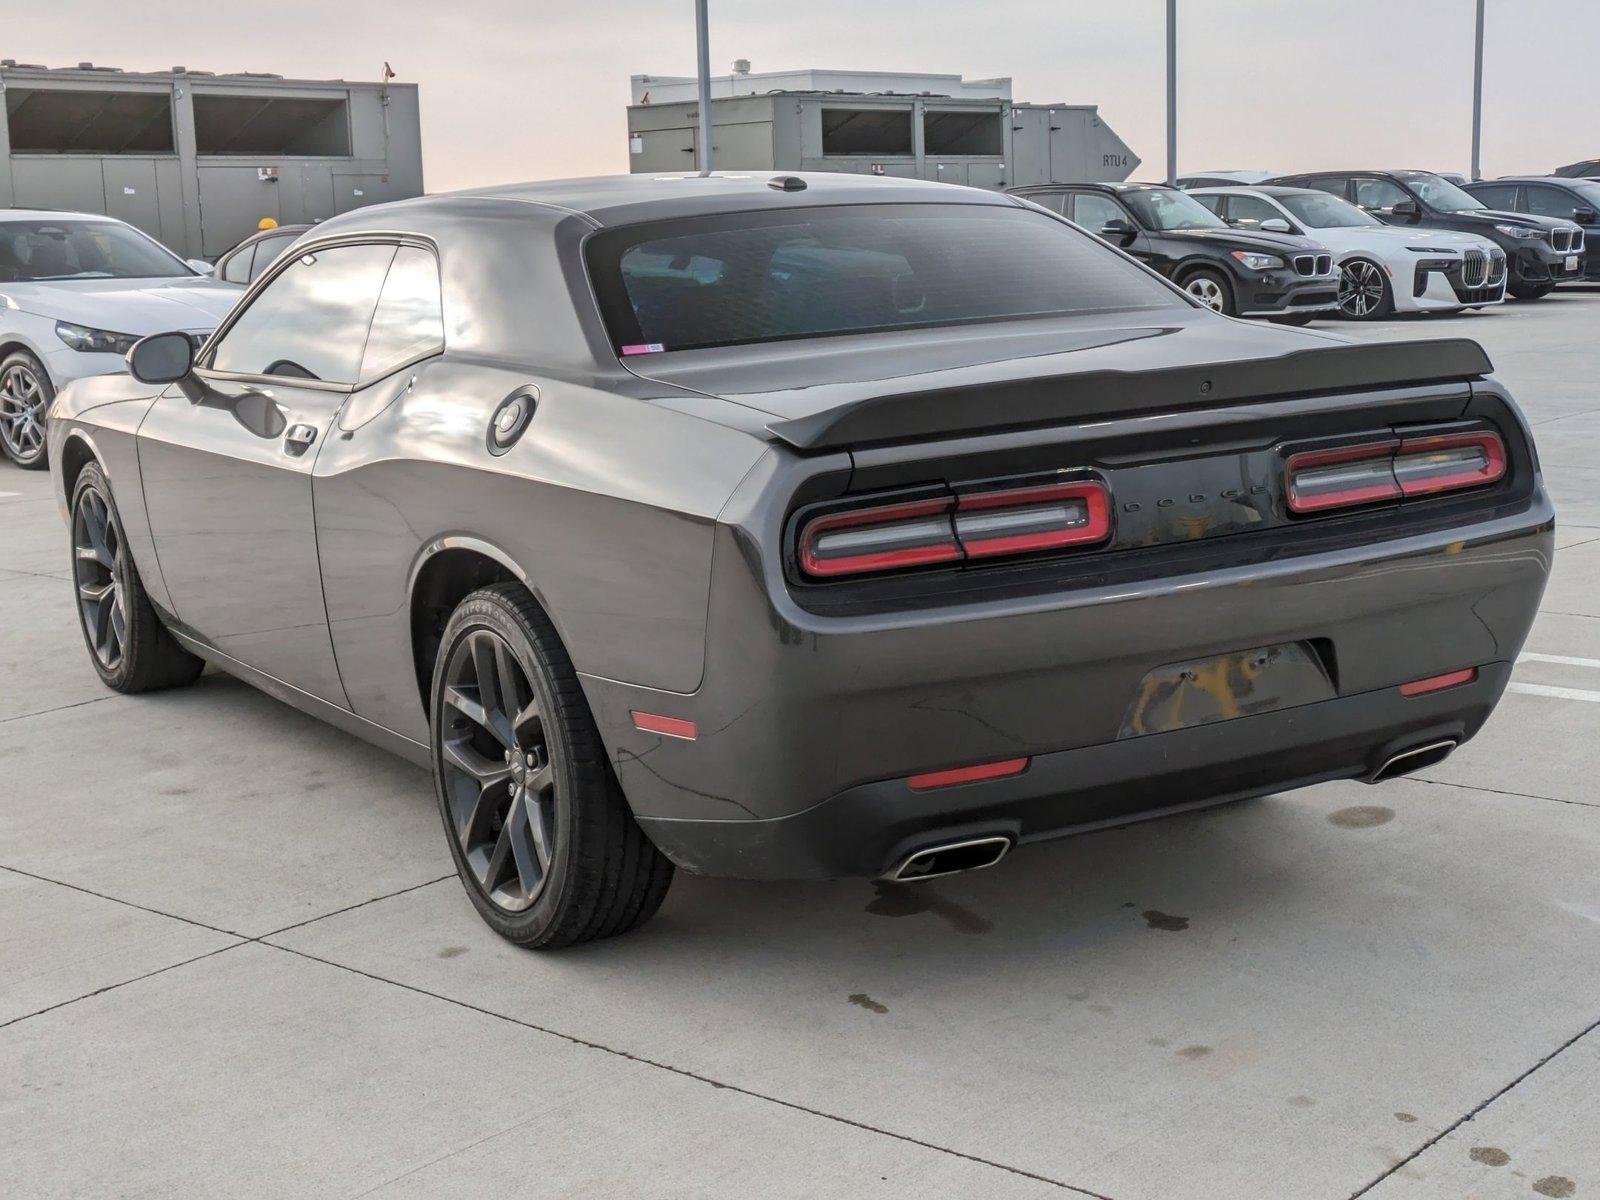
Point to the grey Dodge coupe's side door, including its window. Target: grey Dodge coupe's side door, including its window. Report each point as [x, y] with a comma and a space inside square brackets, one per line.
[228, 478]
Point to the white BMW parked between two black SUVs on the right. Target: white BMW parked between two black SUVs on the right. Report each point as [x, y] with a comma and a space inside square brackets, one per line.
[1383, 270]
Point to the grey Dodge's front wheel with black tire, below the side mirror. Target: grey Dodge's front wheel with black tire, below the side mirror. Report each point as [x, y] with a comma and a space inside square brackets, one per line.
[129, 646]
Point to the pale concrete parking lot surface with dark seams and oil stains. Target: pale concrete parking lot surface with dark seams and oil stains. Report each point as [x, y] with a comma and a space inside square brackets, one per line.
[234, 959]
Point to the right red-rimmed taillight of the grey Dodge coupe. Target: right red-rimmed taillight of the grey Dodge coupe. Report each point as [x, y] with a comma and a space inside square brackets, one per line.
[1393, 470]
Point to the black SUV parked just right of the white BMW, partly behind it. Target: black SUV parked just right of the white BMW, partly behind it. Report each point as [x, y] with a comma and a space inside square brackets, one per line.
[1540, 252]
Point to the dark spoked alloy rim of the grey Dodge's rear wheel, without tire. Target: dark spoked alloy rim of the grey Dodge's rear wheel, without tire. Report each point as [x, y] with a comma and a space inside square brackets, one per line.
[500, 782]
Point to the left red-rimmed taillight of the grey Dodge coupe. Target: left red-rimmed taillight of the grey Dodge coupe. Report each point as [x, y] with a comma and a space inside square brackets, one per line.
[964, 526]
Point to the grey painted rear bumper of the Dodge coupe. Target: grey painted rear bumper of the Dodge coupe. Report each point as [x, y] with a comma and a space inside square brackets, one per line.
[809, 726]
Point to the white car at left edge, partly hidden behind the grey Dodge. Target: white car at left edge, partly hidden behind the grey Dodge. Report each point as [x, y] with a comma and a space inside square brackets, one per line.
[78, 292]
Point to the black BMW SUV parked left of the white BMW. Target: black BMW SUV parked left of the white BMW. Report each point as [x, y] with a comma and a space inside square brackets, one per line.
[1257, 274]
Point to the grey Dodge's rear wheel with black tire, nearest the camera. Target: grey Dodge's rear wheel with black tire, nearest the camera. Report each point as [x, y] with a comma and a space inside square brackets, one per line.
[538, 828]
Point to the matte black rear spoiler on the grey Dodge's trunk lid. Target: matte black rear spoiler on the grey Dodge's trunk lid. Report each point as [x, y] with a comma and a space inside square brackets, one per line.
[1017, 404]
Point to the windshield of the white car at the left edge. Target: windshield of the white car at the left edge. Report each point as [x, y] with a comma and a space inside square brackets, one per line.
[33, 252]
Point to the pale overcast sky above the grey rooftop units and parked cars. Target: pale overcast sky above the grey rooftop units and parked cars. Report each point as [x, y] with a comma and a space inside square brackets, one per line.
[538, 89]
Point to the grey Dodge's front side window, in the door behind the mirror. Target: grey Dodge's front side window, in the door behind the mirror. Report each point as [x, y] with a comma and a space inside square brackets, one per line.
[311, 322]
